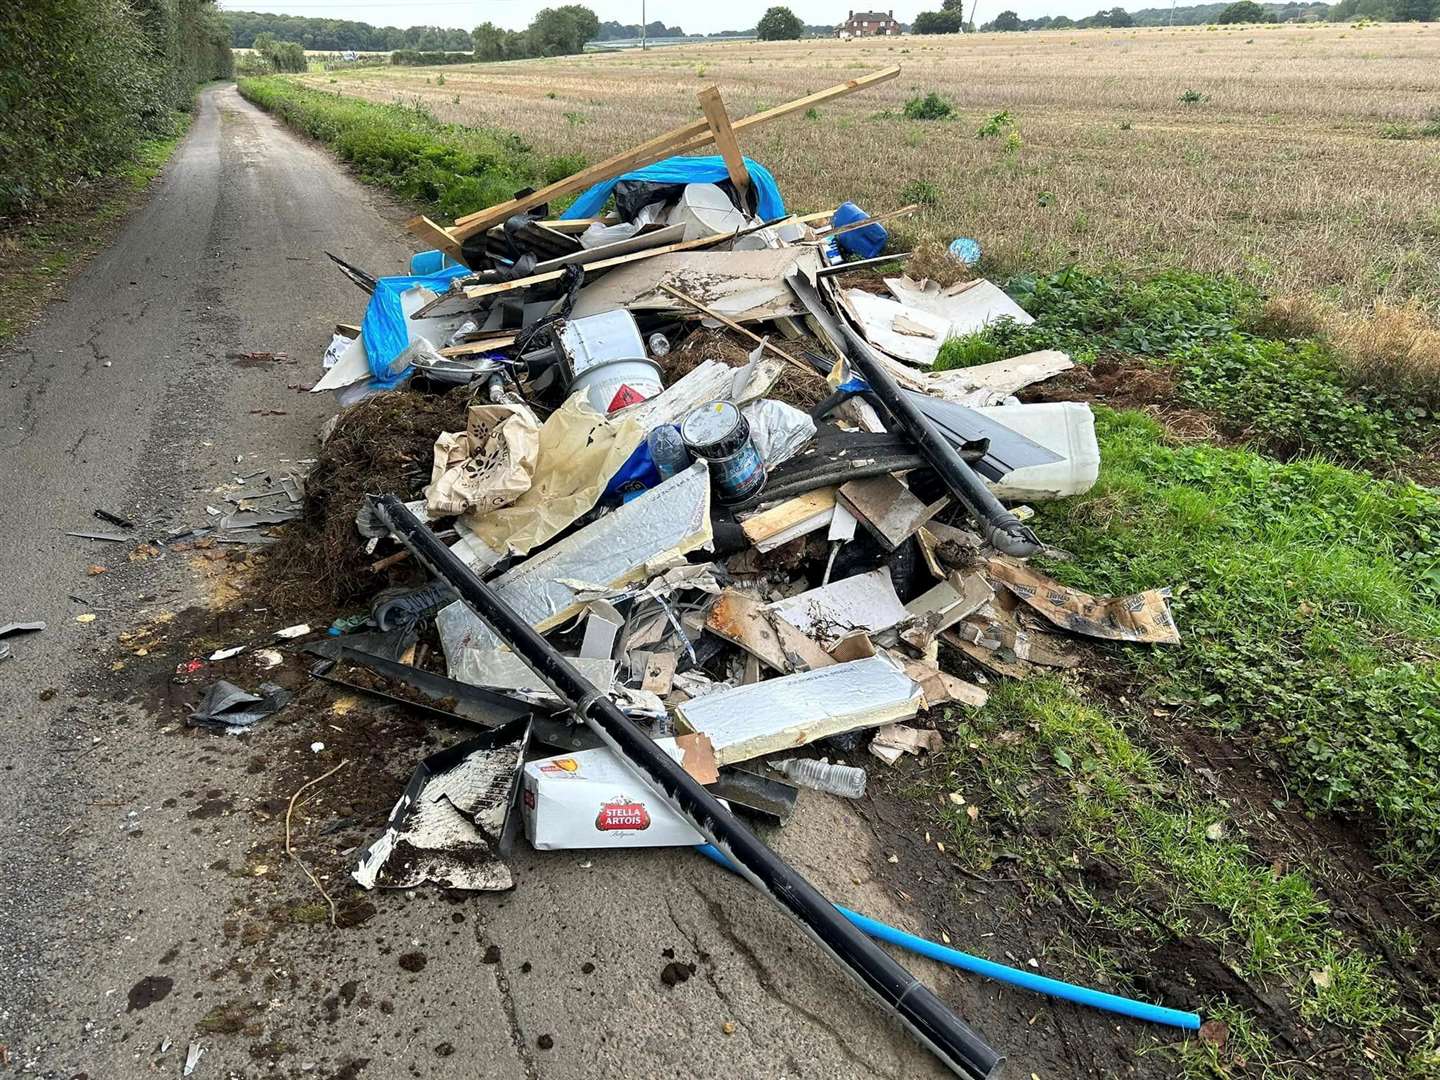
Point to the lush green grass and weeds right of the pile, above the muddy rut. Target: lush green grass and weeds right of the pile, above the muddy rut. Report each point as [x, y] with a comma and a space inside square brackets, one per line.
[1310, 603]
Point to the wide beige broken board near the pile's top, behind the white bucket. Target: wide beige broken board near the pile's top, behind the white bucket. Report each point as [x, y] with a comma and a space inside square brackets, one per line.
[744, 286]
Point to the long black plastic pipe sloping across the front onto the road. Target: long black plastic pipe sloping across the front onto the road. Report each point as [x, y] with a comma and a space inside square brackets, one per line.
[966, 1053]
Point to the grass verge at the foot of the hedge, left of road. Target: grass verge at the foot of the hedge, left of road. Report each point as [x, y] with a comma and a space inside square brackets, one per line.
[38, 253]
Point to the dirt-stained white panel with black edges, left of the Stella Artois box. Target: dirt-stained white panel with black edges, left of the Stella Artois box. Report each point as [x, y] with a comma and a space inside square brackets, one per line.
[450, 823]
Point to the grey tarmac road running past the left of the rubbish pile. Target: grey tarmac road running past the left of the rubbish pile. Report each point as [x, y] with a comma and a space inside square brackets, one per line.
[119, 883]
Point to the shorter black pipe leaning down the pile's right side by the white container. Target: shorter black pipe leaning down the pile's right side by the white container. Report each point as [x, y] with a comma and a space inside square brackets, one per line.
[1003, 529]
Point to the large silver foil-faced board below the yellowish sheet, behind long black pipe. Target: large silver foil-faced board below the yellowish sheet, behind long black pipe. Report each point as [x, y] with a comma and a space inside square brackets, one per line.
[637, 541]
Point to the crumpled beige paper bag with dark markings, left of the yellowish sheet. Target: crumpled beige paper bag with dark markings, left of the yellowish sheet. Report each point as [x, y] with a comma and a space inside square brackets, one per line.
[487, 466]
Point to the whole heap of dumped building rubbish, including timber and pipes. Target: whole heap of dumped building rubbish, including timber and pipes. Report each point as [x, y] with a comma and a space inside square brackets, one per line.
[659, 594]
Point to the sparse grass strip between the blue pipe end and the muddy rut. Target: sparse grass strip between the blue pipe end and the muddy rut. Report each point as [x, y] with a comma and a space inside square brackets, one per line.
[1066, 786]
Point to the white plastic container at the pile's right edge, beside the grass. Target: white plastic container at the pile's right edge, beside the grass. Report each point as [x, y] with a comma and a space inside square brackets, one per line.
[1068, 428]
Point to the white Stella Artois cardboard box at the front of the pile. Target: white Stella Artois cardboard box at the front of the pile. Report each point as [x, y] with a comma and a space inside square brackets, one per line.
[591, 800]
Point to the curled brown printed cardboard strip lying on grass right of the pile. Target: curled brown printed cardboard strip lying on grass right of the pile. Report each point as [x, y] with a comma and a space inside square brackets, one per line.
[1144, 617]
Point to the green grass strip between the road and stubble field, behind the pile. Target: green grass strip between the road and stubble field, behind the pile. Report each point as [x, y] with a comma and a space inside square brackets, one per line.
[446, 169]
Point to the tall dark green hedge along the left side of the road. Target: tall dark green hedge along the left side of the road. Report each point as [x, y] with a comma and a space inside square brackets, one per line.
[84, 81]
